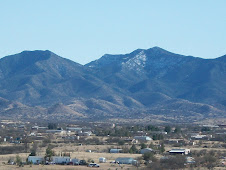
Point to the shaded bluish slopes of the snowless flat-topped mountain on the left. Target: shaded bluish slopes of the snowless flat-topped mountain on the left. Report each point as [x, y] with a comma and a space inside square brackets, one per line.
[43, 78]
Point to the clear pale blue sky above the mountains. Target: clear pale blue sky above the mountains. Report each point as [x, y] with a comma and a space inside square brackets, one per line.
[84, 30]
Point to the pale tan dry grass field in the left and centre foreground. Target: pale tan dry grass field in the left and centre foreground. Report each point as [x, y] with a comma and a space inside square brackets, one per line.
[75, 152]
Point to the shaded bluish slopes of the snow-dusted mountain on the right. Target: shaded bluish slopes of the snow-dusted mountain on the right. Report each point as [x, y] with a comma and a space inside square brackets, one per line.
[157, 70]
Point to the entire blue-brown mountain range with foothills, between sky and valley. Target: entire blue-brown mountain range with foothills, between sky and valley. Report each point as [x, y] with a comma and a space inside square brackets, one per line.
[135, 85]
